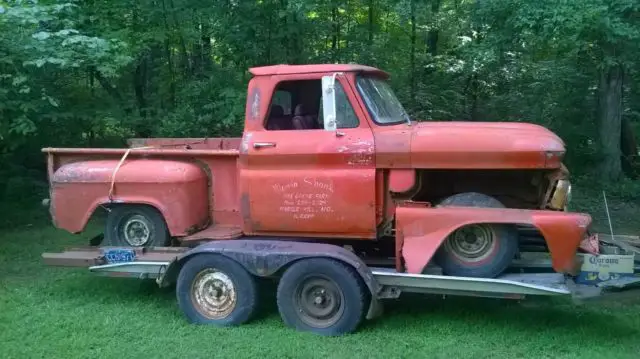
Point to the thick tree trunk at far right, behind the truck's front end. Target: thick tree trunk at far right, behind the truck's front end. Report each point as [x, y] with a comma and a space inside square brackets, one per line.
[610, 113]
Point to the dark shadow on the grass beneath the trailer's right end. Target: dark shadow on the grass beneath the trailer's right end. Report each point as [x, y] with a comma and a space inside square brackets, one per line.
[532, 317]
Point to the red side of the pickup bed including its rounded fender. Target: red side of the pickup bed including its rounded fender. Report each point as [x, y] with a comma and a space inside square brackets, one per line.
[80, 180]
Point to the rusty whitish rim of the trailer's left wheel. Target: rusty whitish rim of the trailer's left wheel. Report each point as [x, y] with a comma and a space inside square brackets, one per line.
[213, 294]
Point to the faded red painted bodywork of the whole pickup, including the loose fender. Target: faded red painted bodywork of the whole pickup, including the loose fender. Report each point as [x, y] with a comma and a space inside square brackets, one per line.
[317, 183]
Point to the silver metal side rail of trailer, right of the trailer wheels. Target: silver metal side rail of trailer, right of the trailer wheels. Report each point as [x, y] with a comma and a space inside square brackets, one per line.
[514, 286]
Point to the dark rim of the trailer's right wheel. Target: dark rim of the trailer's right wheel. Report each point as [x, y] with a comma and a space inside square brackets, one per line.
[319, 302]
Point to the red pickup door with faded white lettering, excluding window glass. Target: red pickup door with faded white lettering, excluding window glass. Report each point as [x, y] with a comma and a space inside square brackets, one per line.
[304, 183]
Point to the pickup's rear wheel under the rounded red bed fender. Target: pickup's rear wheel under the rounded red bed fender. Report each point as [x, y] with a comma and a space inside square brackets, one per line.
[146, 223]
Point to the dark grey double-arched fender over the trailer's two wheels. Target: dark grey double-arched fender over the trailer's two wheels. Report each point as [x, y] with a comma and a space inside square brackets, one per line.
[266, 257]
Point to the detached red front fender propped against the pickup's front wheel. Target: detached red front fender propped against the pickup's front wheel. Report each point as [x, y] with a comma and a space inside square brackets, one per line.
[420, 231]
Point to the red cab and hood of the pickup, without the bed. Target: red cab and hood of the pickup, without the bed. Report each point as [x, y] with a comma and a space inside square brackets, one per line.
[326, 144]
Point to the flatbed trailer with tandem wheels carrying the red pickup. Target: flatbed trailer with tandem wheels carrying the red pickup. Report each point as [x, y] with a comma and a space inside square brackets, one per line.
[323, 288]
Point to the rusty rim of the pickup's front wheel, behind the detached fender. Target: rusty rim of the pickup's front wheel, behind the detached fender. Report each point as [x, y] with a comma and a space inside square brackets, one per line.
[472, 243]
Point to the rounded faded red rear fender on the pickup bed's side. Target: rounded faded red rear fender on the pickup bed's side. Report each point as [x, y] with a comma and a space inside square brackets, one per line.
[179, 190]
